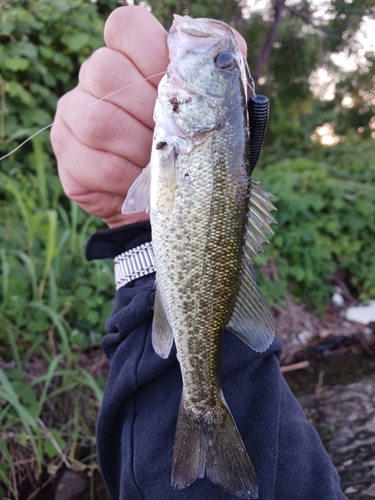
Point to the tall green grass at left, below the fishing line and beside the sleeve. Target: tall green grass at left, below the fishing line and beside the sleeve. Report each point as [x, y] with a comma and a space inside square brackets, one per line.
[52, 310]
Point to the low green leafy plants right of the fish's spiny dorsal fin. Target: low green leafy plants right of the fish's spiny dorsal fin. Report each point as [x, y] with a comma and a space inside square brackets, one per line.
[326, 223]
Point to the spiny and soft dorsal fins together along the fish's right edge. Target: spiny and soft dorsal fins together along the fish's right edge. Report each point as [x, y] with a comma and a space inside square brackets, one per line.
[251, 320]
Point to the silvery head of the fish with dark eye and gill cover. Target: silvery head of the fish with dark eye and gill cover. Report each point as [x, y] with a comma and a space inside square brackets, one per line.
[206, 75]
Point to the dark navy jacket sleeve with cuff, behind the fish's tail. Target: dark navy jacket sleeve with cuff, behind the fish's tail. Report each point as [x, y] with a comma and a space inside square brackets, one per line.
[137, 420]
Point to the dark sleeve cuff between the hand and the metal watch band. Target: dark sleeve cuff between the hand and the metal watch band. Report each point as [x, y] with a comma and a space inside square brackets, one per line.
[108, 243]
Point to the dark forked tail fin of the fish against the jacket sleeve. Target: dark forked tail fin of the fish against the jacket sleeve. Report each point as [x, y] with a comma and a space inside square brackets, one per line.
[211, 445]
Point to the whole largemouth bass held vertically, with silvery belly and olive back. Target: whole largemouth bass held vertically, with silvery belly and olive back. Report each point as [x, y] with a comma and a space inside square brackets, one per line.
[209, 219]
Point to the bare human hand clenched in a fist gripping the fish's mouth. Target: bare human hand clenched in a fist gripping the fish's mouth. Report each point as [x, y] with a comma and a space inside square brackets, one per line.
[100, 150]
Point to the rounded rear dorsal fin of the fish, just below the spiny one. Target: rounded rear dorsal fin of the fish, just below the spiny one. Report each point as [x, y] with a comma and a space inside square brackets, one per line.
[251, 319]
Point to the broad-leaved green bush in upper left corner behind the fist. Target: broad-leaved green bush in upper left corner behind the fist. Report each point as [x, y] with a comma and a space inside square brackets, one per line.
[42, 44]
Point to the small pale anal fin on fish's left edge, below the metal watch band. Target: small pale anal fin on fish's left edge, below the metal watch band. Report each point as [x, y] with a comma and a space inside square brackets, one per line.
[162, 335]
